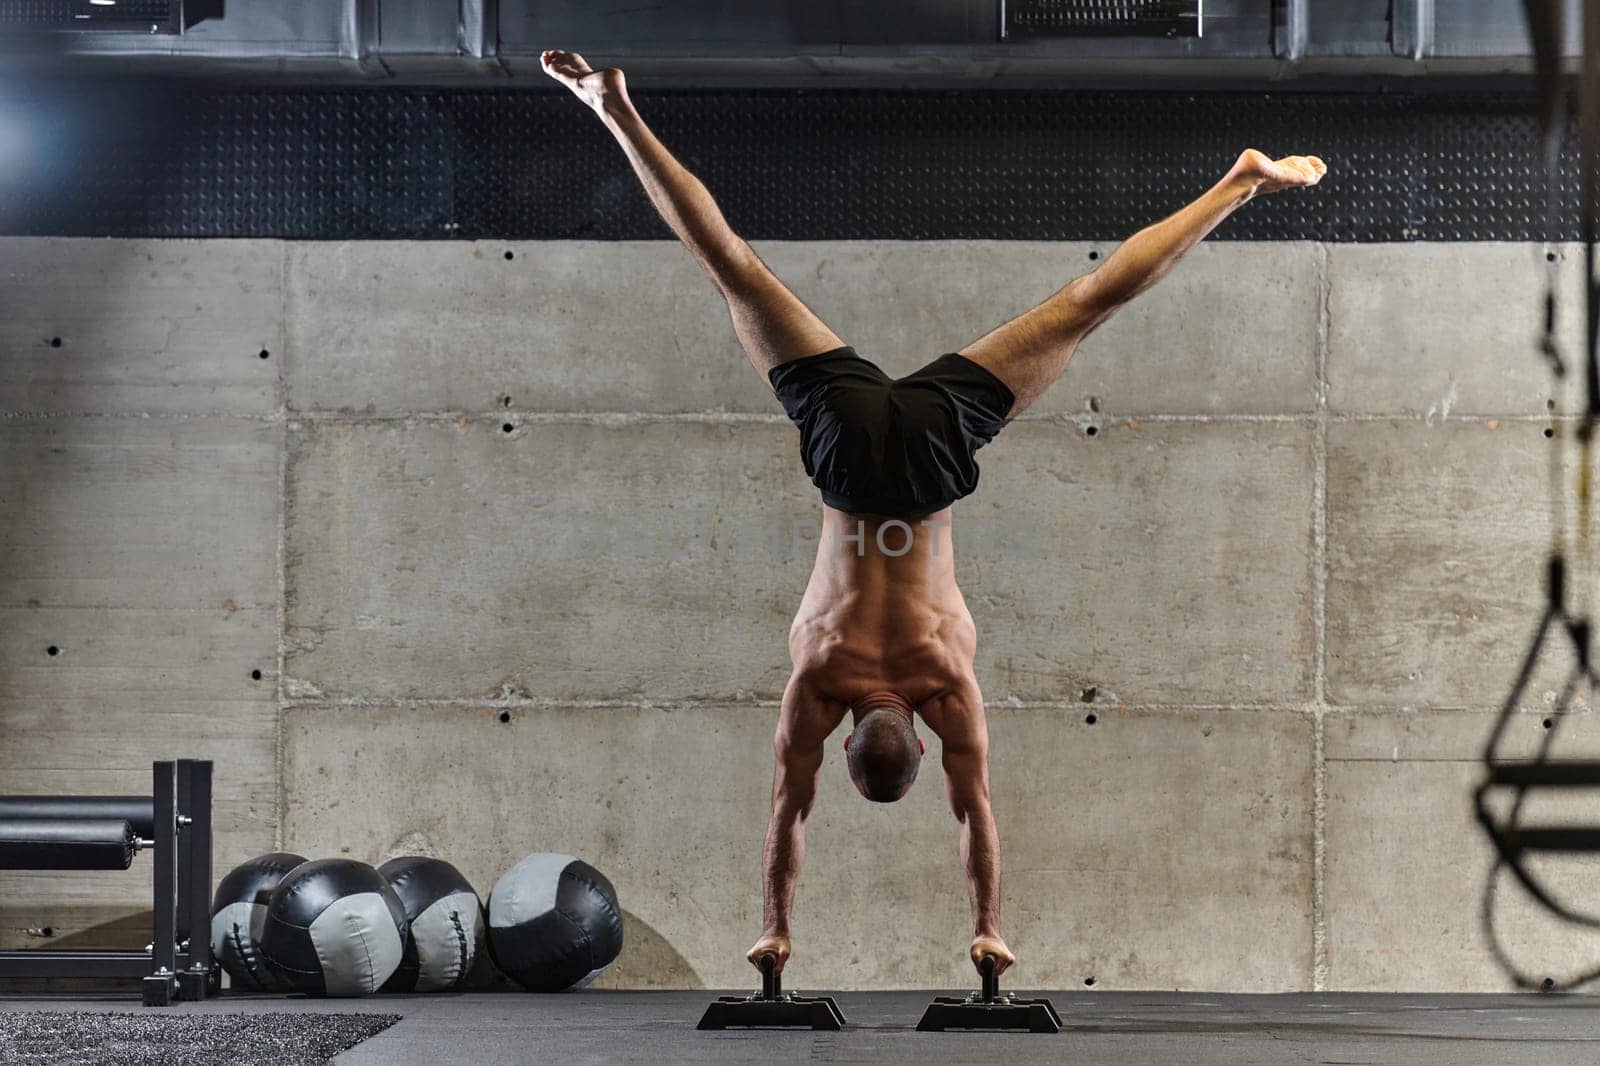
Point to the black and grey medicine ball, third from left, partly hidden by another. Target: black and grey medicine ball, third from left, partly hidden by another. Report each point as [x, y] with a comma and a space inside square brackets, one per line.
[446, 921]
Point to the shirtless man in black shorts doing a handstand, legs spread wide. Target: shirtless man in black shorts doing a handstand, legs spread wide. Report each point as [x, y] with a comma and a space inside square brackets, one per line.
[882, 633]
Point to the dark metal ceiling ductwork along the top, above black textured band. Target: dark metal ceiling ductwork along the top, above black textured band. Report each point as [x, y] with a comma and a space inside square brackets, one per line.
[782, 42]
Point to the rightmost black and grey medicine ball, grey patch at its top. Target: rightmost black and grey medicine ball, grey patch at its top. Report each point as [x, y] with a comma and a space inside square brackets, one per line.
[554, 923]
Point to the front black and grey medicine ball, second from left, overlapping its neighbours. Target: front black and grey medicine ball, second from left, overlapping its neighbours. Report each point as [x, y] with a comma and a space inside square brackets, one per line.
[335, 928]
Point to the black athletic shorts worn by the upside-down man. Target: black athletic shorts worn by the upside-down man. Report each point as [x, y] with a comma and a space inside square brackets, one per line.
[900, 449]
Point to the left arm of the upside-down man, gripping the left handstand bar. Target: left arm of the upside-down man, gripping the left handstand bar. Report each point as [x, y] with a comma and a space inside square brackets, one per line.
[798, 756]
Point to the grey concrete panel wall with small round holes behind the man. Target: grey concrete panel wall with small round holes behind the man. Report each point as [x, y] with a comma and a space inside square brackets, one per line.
[513, 537]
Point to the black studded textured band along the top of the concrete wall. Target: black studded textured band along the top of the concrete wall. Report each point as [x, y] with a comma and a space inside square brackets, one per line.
[162, 161]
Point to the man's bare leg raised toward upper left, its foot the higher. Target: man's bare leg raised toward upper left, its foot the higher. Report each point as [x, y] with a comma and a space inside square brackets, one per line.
[774, 326]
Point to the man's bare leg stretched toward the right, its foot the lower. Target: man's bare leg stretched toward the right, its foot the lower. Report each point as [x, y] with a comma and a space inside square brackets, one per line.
[1031, 351]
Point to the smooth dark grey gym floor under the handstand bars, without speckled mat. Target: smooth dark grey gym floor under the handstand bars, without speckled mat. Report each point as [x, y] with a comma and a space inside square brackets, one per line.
[1108, 1028]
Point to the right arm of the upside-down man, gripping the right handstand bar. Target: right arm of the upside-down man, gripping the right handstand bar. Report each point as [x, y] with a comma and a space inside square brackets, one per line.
[966, 755]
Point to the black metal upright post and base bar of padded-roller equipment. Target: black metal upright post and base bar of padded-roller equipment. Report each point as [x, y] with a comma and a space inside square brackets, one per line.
[178, 963]
